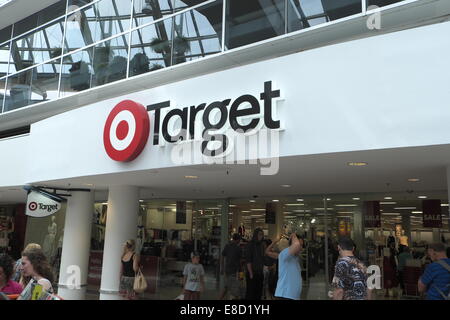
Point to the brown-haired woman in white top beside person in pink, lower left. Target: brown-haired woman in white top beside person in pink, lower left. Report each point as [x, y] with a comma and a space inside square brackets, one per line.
[36, 266]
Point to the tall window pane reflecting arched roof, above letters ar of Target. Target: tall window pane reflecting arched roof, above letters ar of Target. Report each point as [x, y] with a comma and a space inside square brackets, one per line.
[197, 33]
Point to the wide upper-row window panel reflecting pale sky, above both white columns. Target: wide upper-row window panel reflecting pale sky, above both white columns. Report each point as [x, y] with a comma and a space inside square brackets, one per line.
[97, 22]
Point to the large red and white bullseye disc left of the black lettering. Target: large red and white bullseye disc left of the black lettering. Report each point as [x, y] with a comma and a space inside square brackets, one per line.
[126, 131]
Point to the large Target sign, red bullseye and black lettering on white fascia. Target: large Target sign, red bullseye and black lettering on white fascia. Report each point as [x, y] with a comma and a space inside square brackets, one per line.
[127, 127]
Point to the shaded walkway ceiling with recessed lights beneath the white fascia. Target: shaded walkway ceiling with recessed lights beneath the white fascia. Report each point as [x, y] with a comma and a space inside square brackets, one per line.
[386, 171]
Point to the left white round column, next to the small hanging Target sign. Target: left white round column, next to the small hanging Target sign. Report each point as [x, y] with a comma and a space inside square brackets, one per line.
[76, 246]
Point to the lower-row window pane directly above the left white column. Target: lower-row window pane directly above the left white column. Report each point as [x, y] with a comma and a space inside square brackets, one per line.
[77, 72]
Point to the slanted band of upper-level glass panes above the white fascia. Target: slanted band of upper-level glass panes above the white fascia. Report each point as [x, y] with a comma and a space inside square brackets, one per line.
[82, 44]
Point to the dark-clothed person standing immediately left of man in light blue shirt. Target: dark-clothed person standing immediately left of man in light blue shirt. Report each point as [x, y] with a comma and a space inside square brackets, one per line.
[254, 257]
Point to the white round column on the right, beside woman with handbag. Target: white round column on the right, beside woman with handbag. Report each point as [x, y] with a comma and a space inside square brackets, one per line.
[121, 225]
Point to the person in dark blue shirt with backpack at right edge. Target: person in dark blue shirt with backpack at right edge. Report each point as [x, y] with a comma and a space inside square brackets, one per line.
[435, 281]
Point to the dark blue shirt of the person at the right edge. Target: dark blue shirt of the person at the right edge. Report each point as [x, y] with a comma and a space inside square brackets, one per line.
[436, 275]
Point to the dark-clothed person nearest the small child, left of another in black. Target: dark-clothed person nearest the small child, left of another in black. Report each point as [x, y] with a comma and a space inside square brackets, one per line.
[230, 262]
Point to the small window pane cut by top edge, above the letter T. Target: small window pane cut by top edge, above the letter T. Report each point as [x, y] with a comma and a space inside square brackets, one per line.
[146, 11]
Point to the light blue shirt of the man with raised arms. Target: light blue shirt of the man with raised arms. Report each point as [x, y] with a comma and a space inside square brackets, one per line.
[289, 283]
